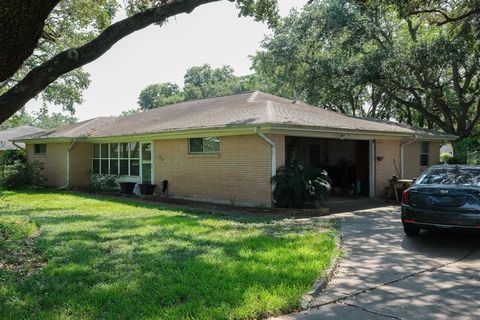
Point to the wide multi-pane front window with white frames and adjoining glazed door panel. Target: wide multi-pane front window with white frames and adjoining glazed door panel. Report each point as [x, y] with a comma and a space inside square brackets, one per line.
[122, 158]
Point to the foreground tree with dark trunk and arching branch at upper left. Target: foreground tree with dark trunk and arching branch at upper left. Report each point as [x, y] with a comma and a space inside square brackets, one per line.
[45, 45]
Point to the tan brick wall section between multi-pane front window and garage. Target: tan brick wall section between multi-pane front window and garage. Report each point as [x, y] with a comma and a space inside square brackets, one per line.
[239, 174]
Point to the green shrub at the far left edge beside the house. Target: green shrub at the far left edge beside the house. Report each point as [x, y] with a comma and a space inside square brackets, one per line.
[21, 174]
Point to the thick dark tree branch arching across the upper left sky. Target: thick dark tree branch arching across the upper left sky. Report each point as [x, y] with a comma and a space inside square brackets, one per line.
[40, 77]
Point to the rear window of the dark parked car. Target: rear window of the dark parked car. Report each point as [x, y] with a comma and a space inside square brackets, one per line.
[451, 176]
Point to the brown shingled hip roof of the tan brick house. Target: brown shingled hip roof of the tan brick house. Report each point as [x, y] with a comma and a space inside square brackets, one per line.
[245, 109]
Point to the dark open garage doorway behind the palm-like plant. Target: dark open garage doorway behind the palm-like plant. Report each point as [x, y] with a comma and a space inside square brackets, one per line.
[346, 161]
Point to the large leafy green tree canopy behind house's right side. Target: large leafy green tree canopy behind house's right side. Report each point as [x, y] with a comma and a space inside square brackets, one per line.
[373, 60]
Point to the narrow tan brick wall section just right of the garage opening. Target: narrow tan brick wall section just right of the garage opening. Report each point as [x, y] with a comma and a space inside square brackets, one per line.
[385, 169]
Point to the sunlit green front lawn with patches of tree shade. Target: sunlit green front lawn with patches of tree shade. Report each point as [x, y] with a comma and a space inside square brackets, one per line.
[74, 256]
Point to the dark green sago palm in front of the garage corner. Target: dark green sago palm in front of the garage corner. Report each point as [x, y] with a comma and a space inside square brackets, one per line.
[297, 184]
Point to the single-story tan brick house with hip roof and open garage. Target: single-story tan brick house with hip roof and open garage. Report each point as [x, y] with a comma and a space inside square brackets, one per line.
[226, 149]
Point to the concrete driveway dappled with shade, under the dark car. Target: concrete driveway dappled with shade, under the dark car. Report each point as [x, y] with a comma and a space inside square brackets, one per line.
[386, 275]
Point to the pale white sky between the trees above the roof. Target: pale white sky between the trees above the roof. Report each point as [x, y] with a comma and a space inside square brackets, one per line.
[212, 34]
